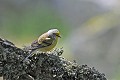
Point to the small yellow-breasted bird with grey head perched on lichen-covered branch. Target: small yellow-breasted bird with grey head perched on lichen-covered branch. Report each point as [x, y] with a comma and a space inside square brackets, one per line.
[45, 42]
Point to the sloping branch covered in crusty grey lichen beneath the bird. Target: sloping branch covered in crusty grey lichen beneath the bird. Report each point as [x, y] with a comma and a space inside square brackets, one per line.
[41, 66]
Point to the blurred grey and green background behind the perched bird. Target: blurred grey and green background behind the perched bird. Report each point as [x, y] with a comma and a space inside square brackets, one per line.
[89, 28]
